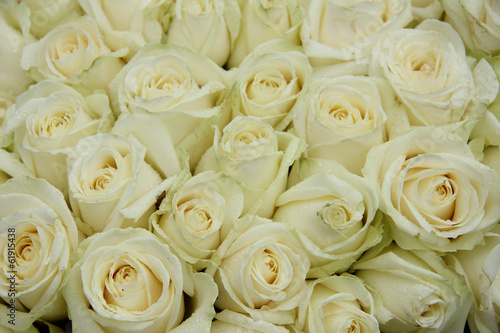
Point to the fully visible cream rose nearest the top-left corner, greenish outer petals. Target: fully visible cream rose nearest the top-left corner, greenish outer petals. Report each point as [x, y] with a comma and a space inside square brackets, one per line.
[73, 51]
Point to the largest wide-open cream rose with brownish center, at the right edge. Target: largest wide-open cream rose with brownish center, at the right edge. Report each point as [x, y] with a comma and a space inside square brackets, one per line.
[436, 194]
